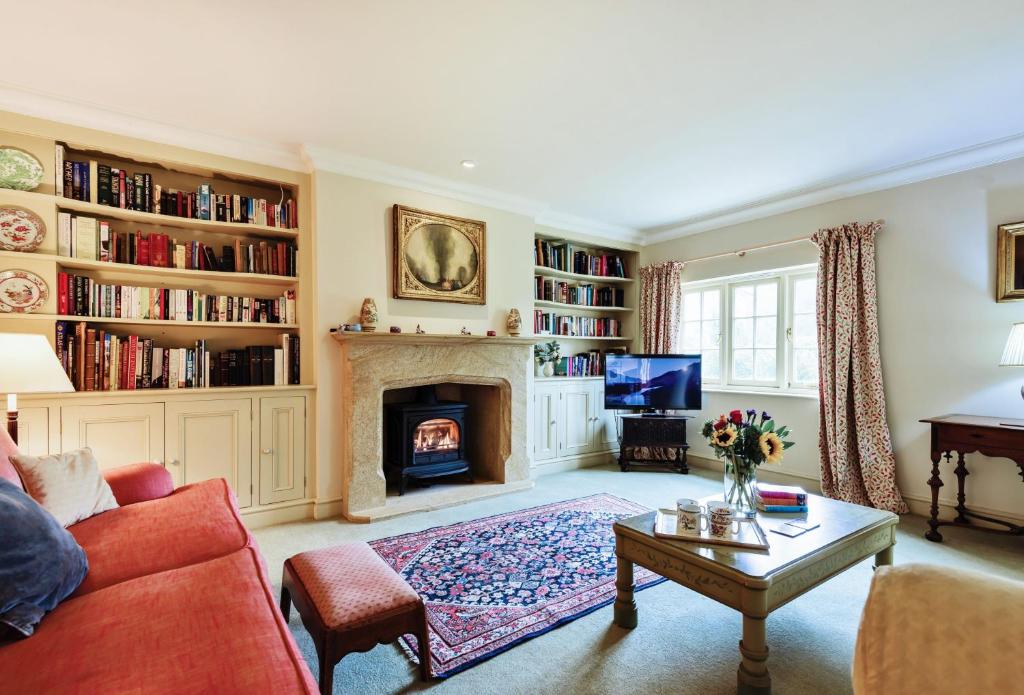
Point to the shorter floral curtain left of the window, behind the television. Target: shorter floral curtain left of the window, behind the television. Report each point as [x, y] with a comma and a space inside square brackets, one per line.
[661, 302]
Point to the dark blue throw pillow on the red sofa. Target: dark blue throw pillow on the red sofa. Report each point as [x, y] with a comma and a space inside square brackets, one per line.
[40, 562]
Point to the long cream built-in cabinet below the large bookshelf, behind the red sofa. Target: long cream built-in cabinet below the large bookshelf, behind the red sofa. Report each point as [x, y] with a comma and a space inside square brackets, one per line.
[259, 444]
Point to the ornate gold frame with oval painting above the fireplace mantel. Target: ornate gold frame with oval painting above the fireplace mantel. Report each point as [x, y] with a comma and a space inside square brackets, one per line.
[440, 258]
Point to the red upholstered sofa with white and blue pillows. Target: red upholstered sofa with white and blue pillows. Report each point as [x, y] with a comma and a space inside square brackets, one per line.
[177, 601]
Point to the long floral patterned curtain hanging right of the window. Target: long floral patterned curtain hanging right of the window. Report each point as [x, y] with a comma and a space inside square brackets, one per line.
[857, 452]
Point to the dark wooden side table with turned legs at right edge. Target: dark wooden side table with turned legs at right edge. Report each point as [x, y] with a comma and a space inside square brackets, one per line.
[999, 438]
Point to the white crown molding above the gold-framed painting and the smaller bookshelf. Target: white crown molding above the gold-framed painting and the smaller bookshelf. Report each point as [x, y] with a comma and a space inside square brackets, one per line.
[326, 159]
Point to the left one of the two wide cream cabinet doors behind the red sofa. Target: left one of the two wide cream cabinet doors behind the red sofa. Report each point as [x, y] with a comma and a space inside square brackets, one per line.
[117, 433]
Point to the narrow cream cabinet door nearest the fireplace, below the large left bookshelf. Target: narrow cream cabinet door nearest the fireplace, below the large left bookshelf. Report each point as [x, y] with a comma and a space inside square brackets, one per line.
[282, 449]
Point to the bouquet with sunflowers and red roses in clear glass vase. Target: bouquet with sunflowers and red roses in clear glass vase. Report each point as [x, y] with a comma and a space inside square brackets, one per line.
[745, 444]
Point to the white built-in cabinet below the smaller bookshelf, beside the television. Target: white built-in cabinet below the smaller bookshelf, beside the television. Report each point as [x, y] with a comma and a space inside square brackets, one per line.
[571, 420]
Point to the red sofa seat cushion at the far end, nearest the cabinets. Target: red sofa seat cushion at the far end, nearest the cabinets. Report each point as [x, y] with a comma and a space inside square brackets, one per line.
[196, 524]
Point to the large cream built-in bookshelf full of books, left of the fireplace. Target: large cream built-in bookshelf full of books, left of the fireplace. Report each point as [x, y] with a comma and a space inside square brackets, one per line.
[191, 255]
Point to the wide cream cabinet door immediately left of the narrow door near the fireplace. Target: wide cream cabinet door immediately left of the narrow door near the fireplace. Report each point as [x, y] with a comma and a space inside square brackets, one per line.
[211, 440]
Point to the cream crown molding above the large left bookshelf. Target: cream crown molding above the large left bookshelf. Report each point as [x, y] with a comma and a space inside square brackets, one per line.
[76, 113]
